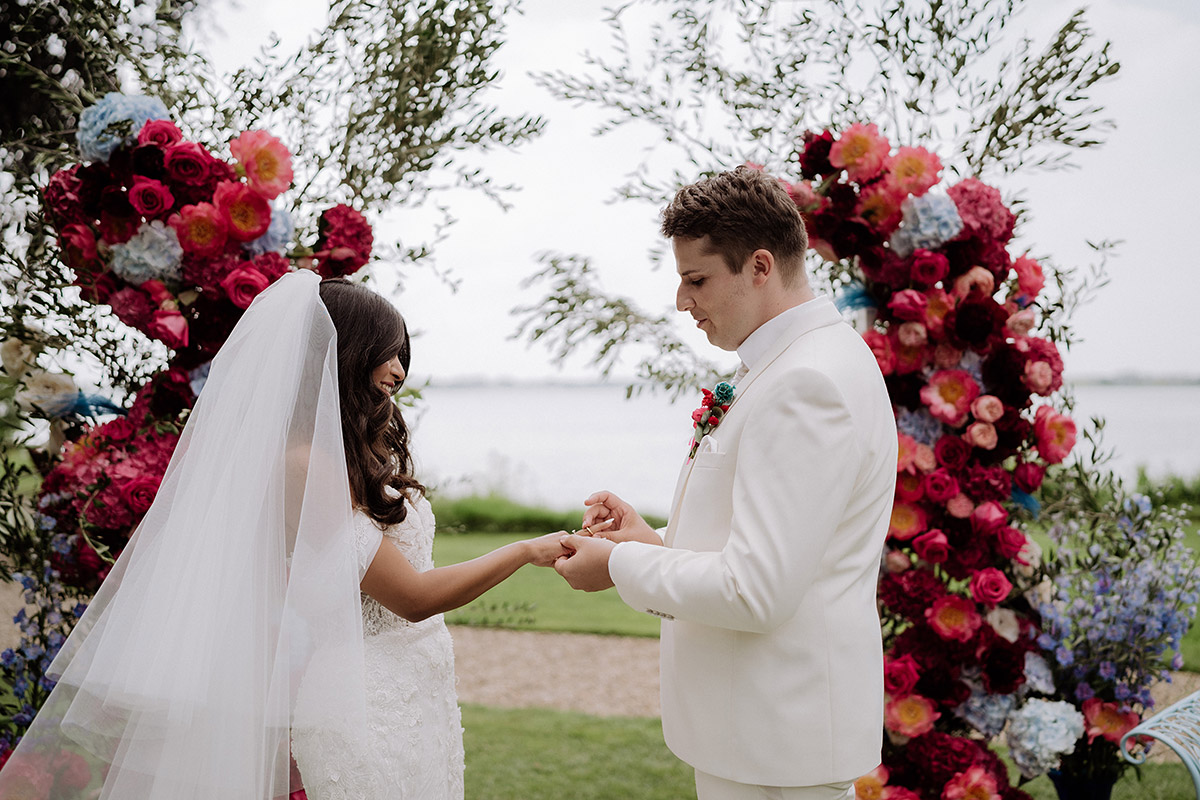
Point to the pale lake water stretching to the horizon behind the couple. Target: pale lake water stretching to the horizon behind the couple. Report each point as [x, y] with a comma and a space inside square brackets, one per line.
[556, 444]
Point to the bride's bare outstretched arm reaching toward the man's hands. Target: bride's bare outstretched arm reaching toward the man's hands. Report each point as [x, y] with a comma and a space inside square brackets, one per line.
[417, 596]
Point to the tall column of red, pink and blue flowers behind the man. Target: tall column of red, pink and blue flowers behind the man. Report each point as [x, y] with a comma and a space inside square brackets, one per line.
[973, 387]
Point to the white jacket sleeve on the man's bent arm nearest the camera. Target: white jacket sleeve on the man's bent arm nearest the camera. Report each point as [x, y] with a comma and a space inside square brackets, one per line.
[796, 468]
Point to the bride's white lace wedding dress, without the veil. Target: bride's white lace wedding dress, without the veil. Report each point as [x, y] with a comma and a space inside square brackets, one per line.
[413, 749]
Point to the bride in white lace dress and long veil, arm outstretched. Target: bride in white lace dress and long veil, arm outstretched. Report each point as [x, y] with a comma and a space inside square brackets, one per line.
[280, 596]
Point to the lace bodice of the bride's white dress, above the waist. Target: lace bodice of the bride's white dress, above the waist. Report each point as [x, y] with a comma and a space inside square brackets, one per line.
[415, 539]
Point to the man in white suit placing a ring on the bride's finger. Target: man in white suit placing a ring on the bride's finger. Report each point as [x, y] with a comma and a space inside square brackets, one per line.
[765, 576]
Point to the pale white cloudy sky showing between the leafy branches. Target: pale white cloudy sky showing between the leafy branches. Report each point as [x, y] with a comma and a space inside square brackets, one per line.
[1137, 189]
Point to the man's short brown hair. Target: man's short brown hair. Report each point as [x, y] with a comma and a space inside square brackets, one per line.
[741, 212]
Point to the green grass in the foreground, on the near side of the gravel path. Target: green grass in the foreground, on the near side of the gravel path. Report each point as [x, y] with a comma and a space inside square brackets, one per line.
[538, 755]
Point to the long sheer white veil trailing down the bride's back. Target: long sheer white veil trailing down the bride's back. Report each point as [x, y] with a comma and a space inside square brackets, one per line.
[233, 616]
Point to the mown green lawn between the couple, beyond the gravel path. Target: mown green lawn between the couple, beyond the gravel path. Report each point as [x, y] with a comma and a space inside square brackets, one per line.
[537, 599]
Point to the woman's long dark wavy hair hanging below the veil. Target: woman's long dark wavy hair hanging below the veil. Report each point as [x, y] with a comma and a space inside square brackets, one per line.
[371, 333]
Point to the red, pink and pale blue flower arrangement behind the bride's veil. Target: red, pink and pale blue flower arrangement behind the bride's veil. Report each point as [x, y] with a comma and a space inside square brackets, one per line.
[178, 242]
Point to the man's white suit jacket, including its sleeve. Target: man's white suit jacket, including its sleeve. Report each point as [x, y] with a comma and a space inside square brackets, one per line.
[772, 655]
